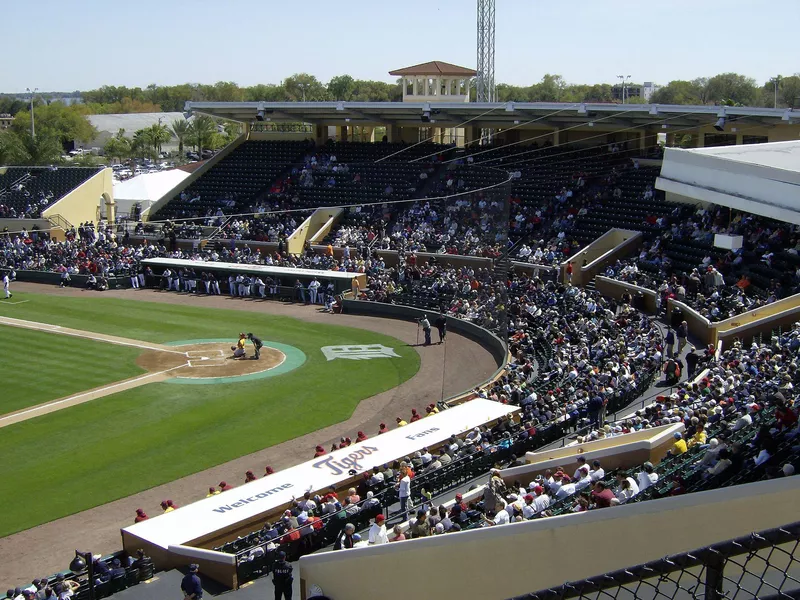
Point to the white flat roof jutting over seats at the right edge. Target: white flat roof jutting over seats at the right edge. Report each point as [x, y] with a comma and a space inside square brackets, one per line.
[763, 179]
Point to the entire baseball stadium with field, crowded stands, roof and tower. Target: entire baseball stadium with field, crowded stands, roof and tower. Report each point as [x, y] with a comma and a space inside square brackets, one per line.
[502, 350]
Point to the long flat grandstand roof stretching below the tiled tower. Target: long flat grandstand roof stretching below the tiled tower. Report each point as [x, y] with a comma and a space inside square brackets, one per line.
[494, 115]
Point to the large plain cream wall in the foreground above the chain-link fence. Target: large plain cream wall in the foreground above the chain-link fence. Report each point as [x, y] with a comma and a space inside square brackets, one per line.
[500, 562]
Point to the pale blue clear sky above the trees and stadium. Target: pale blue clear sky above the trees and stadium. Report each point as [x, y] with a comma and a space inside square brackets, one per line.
[64, 46]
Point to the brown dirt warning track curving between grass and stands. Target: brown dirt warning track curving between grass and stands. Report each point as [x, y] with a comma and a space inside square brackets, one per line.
[46, 549]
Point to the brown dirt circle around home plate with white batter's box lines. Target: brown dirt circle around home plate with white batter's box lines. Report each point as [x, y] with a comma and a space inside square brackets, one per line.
[209, 360]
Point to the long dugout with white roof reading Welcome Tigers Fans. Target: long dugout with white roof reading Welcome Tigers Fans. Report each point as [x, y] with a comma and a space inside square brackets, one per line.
[190, 533]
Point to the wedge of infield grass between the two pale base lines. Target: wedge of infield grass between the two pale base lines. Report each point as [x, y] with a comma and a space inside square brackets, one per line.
[38, 368]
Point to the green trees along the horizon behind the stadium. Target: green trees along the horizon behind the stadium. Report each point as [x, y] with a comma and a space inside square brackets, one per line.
[58, 124]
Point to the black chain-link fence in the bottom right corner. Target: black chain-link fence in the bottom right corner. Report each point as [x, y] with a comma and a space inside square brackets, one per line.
[763, 565]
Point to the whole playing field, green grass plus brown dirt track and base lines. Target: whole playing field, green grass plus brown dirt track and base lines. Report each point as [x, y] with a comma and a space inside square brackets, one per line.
[276, 407]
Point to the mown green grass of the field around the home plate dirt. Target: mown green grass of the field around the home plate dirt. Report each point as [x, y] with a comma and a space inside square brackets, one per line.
[127, 442]
